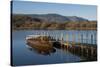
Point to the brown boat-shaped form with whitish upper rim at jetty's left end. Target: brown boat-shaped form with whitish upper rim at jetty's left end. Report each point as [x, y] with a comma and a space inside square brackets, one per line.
[40, 43]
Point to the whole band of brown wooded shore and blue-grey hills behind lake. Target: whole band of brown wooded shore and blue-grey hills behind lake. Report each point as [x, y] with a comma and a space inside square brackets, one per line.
[51, 22]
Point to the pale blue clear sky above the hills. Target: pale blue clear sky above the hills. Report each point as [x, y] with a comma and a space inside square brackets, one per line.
[25, 7]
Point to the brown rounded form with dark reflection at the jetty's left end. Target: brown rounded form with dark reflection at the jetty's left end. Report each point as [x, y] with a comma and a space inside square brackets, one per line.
[41, 45]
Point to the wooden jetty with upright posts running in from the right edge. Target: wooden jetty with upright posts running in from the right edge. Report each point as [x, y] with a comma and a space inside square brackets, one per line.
[85, 50]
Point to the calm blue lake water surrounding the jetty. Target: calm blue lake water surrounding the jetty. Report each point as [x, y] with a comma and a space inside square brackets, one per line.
[23, 55]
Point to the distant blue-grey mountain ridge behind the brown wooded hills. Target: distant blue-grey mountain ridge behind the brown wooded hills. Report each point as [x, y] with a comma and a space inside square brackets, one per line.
[54, 18]
